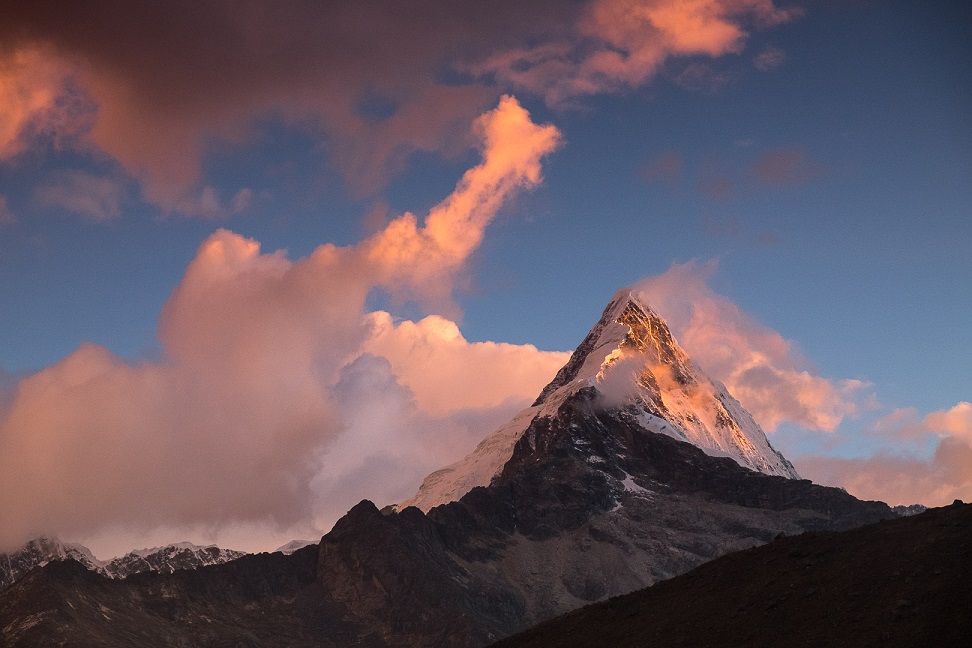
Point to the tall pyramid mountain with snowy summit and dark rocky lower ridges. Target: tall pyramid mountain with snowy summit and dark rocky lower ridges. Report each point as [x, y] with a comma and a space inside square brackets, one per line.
[631, 467]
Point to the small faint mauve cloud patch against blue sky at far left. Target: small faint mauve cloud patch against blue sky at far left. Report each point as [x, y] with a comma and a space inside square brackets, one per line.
[98, 198]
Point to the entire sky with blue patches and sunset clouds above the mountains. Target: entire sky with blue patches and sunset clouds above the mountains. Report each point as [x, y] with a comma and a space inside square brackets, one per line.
[259, 261]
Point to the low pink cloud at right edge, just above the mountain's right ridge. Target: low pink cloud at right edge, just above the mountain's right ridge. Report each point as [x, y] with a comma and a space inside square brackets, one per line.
[908, 479]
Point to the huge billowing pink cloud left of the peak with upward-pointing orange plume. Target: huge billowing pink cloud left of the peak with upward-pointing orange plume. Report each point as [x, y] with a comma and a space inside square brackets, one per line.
[270, 402]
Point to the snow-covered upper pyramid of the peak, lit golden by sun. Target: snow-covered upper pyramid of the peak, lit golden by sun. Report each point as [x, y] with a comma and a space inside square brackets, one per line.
[635, 365]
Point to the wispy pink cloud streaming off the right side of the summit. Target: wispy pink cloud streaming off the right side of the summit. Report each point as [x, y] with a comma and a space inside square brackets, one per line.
[762, 369]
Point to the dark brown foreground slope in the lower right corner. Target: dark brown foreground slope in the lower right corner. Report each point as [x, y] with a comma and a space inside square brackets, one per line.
[902, 582]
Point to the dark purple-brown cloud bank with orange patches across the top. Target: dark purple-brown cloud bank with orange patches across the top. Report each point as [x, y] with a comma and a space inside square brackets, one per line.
[154, 86]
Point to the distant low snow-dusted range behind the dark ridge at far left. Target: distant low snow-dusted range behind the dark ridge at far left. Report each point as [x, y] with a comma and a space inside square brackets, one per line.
[167, 559]
